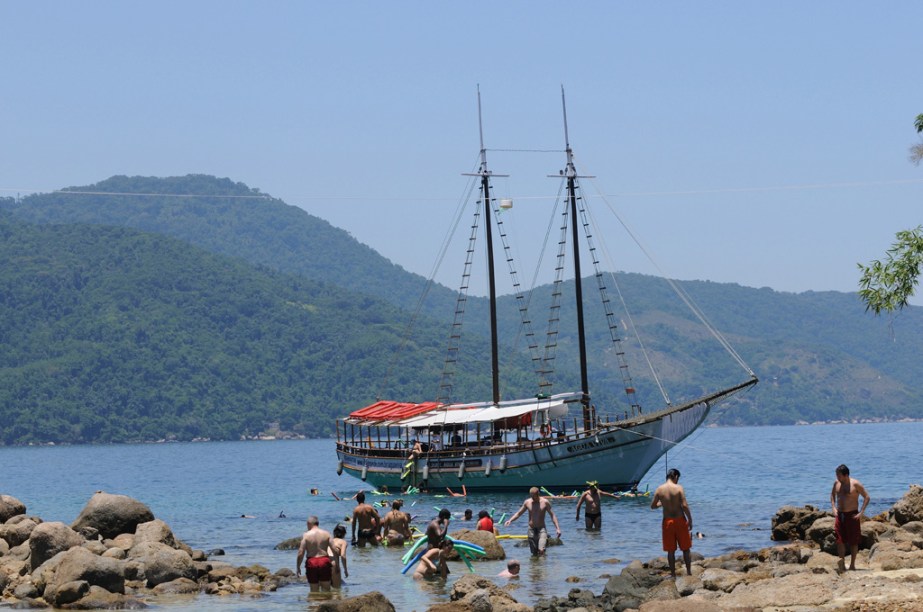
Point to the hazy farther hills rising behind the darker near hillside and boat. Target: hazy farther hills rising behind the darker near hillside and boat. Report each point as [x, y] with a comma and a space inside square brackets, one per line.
[819, 356]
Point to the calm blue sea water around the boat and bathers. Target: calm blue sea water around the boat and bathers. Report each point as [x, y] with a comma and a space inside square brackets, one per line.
[735, 479]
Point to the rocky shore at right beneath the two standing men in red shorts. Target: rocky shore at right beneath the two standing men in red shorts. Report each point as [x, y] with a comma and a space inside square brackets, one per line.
[797, 576]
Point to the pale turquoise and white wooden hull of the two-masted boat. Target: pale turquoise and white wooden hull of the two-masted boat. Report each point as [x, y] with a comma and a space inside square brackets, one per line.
[617, 456]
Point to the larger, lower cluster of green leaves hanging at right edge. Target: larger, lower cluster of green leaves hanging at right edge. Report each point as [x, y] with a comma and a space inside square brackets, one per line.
[886, 286]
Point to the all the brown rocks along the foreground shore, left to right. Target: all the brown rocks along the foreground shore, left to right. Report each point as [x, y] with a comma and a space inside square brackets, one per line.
[116, 555]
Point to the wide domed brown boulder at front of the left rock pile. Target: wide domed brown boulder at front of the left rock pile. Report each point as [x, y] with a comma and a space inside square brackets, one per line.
[78, 564]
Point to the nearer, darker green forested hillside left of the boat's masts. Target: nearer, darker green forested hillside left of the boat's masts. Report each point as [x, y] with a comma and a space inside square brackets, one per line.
[110, 334]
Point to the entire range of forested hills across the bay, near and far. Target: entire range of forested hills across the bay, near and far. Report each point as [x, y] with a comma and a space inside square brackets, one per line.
[294, 290]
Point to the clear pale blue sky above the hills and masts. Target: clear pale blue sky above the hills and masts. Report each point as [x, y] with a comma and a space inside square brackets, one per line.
[763, 144]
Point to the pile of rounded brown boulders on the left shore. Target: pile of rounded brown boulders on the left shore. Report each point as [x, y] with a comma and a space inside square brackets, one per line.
[115, 555]
